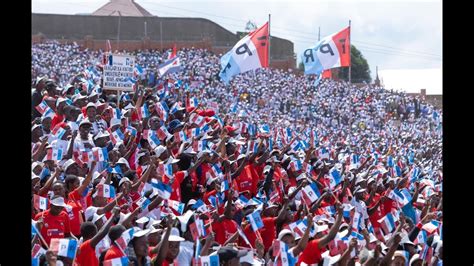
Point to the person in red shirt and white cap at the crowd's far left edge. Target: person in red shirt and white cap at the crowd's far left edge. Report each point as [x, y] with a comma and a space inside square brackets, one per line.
[54, 223]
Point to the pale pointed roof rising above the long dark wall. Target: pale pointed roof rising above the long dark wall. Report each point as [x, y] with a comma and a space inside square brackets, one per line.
[122, 8]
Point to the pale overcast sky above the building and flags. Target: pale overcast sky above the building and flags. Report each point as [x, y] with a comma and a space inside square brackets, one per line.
[399, 34]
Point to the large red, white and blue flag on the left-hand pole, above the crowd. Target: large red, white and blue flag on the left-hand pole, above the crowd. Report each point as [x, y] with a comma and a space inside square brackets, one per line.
[250, 53]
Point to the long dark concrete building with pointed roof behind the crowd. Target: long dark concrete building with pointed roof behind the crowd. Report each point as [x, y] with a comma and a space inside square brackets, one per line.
[129, 26]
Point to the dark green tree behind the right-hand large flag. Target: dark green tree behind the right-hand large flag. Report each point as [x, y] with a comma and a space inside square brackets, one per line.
[360, 71]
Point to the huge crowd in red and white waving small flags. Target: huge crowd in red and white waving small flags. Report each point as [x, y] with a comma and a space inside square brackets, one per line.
[274, 169]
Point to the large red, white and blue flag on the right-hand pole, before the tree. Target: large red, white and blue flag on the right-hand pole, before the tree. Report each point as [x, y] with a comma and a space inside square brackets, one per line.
[332, 51]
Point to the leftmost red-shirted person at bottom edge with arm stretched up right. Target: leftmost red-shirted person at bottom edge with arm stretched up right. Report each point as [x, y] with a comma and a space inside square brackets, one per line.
[86, 254]
